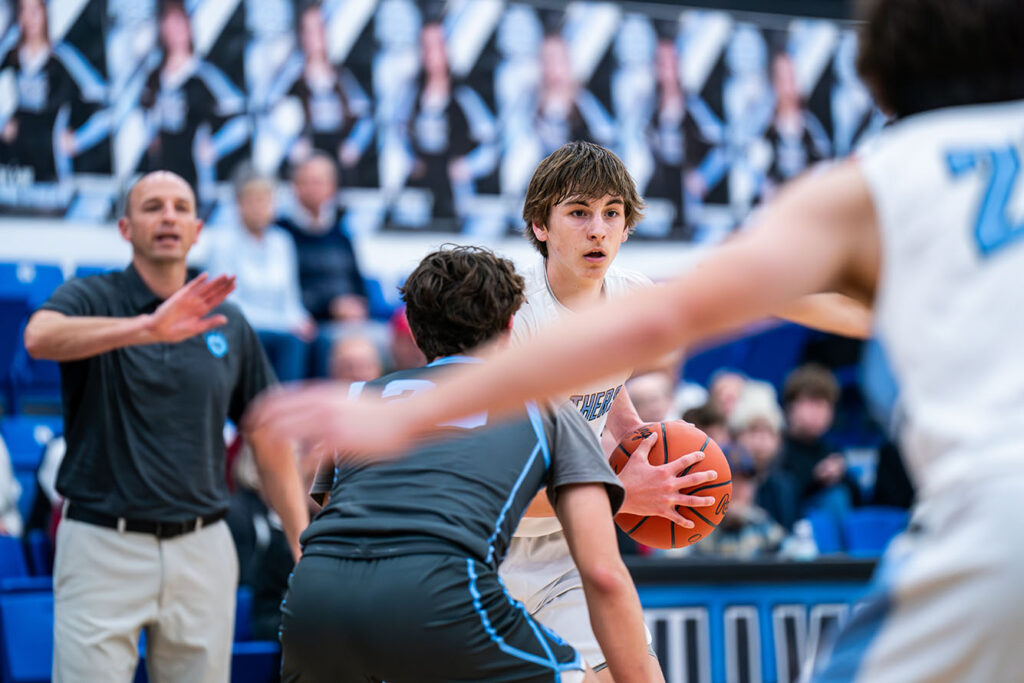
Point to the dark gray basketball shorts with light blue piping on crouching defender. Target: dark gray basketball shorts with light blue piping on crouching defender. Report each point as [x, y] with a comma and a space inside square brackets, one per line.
[413, 618]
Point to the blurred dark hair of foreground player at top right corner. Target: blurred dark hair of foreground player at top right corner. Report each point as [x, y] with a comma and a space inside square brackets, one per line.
[918, 56]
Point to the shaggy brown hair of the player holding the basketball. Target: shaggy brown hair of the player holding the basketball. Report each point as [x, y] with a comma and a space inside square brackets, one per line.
[578, 170]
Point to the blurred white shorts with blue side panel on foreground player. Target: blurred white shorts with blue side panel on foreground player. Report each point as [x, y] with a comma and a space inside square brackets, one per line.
[947, 603]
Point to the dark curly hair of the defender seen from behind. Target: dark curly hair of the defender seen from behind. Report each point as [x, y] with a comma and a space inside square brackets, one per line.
[460, 297]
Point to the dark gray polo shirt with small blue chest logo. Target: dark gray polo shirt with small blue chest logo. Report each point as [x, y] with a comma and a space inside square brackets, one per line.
[145, 424]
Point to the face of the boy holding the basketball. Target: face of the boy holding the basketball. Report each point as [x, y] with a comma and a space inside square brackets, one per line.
[584, 236]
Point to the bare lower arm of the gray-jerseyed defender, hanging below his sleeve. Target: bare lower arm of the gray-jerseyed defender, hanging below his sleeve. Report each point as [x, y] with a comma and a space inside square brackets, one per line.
[612, 599]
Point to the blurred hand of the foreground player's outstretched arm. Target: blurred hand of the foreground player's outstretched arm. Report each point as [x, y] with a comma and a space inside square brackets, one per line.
[322, 414]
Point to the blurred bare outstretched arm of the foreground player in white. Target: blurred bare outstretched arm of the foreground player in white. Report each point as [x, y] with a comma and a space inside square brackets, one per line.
[821, 235]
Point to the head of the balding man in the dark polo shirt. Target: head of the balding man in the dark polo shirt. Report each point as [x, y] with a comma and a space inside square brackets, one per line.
[161, 223]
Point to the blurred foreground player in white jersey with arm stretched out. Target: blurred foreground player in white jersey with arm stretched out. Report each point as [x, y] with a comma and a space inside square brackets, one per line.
[925, 224]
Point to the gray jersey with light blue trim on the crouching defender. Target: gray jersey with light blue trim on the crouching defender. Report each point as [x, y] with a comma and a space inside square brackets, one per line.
[464, 492]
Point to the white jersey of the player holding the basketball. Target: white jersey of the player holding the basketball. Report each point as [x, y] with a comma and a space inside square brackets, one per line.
[594, 401]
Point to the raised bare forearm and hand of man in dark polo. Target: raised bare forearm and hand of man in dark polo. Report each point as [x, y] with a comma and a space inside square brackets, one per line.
[55, 336]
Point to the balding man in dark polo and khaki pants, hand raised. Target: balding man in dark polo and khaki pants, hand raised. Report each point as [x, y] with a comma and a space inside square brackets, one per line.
[149, 378]
